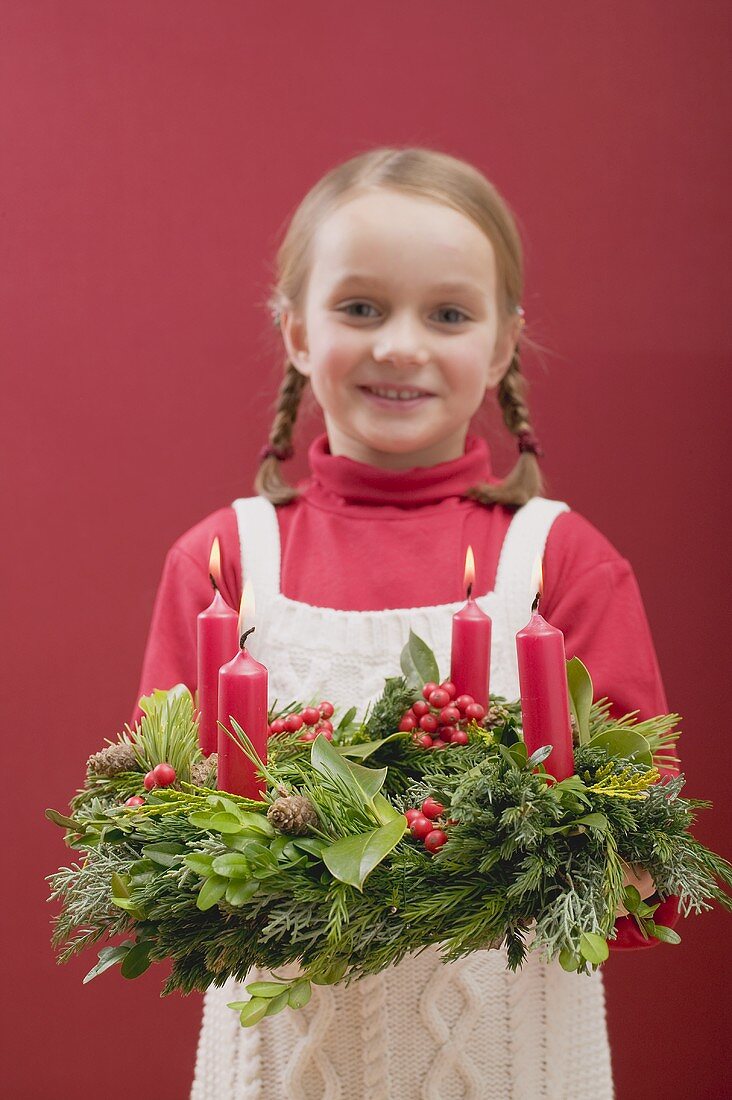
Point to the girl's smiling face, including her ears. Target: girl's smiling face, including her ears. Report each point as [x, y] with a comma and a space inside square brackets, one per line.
[400, 332]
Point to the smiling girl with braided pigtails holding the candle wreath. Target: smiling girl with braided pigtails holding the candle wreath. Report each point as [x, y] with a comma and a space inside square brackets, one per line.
[399, 301]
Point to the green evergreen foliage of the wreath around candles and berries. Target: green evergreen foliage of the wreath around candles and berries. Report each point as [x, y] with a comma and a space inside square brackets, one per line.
[201, 878]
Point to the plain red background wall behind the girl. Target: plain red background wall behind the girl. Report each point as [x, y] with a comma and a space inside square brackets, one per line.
[152, 153]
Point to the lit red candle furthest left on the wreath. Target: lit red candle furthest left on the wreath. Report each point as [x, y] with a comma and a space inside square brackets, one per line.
[217, 642]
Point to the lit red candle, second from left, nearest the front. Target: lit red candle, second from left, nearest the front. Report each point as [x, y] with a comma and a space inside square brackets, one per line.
[243, 697]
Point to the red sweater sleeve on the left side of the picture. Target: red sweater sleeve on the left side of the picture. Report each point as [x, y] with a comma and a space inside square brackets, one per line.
[184, 591]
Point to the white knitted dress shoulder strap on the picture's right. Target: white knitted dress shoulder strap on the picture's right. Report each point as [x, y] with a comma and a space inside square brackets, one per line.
[523, 544]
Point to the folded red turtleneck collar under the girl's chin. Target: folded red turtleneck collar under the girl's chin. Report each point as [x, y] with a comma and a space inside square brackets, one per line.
[345, 481]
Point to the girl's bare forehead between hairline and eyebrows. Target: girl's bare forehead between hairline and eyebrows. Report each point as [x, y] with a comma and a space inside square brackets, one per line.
[386, 234]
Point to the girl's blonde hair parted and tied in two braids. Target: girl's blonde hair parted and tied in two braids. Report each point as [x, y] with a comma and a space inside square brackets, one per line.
[456, 184]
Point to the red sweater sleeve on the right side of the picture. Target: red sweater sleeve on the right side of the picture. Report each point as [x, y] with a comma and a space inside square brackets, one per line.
[592, 595]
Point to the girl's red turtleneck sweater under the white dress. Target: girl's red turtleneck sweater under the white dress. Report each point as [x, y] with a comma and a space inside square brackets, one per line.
[369, 521]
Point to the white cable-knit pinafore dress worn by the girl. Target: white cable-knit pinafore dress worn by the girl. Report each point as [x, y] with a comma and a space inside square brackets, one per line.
[423, 1030]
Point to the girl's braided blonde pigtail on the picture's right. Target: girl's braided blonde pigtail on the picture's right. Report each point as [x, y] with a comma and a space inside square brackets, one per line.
[526, 480]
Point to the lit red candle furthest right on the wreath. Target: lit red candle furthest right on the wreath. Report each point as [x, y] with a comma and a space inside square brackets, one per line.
[544, 694]
